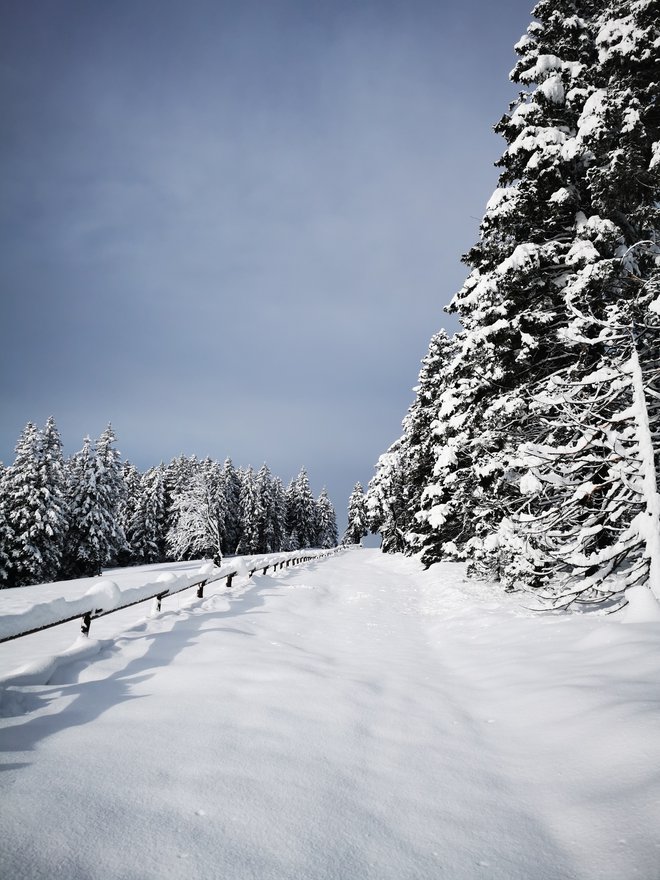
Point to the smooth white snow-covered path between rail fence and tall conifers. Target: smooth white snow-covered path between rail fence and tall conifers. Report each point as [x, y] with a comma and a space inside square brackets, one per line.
[356, 717]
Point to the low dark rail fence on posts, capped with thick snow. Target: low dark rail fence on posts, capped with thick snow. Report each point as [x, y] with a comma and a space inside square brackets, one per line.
[105, 597]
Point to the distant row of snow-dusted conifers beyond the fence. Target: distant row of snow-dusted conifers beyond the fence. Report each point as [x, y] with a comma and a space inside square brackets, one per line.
[65, 518]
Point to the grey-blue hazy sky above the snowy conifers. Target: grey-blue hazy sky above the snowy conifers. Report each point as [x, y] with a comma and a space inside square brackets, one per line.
[231, 228]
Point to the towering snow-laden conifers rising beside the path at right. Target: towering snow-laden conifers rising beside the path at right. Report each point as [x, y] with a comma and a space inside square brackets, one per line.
[532, 449]
